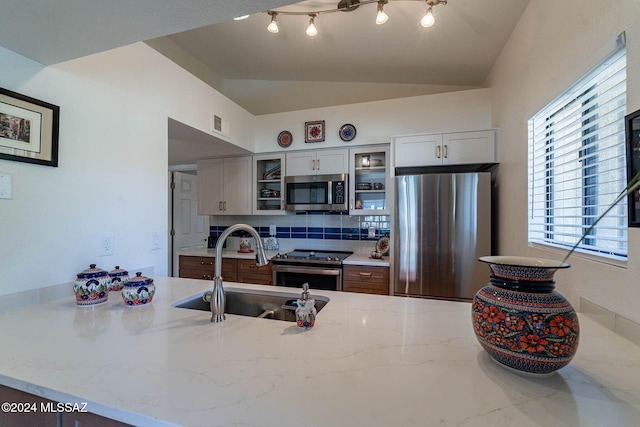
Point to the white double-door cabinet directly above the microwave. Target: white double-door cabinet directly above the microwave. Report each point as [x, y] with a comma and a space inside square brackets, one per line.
[321, 162]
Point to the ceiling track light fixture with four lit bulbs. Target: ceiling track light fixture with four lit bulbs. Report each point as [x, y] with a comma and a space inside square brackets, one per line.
[349, 6]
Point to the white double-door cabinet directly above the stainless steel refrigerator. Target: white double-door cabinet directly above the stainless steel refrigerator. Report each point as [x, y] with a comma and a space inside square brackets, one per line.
[445, 148]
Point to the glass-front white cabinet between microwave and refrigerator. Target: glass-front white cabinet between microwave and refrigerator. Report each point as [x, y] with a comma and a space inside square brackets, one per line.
[369, 181]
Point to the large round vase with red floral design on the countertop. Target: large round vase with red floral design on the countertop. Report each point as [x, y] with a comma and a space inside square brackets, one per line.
[520, 320]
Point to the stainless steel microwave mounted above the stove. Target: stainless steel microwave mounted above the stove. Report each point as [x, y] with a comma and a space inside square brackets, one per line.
[316, 192]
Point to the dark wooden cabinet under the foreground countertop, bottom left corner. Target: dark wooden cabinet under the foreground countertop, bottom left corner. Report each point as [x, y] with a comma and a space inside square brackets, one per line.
[43, 412]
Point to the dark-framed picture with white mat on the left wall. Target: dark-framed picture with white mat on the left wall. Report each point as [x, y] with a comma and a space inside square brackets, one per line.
[28, 129]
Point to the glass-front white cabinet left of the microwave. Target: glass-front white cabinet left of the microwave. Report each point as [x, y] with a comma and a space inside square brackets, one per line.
[268, 188]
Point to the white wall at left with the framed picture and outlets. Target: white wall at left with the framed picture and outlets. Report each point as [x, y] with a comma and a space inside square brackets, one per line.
[112, 174]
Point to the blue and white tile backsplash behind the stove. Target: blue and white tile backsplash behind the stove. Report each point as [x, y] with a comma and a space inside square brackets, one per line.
[319, 226]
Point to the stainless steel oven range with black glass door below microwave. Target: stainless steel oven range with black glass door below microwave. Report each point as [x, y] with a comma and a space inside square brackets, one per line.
[321, 269]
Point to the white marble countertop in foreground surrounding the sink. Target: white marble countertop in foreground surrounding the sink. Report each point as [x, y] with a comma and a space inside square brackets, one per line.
[370, 360]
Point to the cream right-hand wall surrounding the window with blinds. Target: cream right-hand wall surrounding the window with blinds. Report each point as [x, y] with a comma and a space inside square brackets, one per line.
[555, 43]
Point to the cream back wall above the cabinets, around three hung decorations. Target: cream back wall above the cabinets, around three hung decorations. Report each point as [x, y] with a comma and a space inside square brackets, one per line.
[376, 121]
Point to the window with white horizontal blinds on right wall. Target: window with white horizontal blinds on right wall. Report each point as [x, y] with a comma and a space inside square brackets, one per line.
[577, 164]
